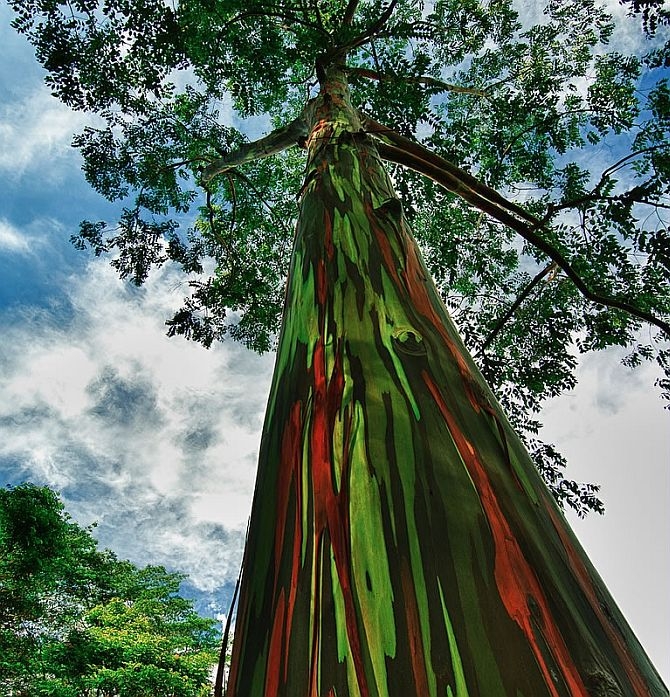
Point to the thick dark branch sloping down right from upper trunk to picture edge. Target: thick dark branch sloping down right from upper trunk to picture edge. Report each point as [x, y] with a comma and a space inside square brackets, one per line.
[396, 148]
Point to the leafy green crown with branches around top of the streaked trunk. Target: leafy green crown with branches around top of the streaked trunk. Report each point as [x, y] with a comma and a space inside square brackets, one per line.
[532, 161]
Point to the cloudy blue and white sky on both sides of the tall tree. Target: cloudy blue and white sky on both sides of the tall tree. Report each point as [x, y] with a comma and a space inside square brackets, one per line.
[156, 438]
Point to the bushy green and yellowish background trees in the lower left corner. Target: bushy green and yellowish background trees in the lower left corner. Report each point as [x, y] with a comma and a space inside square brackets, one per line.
[76, 621]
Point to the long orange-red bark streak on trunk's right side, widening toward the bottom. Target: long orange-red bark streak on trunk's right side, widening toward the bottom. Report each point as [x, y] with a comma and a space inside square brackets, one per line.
[514, 576]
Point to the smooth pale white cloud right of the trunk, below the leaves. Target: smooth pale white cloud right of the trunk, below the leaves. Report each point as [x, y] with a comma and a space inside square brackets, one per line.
[613, 430]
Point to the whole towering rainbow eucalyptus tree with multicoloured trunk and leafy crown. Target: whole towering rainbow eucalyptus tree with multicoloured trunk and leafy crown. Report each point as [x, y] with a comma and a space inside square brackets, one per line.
[418, 157]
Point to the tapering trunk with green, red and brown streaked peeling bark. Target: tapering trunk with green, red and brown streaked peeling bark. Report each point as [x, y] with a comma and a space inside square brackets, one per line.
[401, 542]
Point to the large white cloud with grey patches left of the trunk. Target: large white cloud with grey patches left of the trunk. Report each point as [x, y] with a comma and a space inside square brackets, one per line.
[156, 438]
